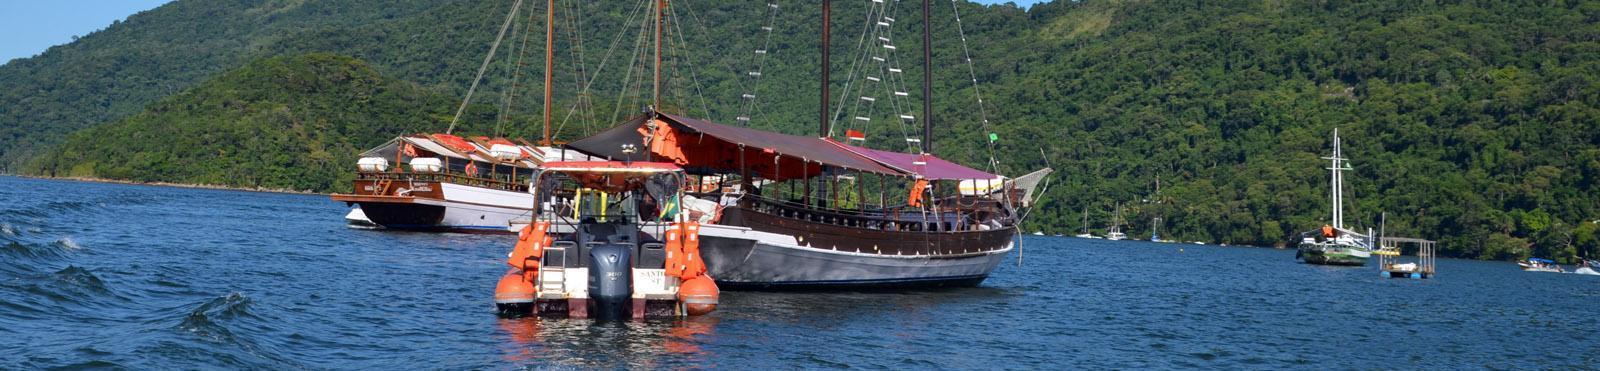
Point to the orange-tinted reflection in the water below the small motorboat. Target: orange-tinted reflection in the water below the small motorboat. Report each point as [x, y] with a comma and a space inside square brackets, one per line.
[585, 343]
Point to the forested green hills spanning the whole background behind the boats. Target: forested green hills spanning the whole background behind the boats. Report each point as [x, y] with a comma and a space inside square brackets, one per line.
[1474, 124]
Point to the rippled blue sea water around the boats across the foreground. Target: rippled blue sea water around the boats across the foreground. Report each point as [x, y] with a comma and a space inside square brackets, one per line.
[158, 277]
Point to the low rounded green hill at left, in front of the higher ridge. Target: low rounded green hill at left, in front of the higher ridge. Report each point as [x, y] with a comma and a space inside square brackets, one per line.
[294, 122]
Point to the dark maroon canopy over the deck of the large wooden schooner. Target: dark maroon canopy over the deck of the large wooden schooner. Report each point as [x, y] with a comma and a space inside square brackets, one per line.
[710, 148]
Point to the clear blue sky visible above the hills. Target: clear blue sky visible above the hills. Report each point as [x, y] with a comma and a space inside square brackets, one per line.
[33, 26]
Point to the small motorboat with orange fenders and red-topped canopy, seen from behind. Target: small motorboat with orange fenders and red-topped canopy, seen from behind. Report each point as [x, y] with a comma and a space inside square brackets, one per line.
[610, 242]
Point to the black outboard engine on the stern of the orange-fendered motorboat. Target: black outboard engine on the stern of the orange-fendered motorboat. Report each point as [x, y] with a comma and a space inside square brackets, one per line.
[612, 282]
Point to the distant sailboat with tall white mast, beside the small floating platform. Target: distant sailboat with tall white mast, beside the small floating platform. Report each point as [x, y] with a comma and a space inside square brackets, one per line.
[1334, 244]
